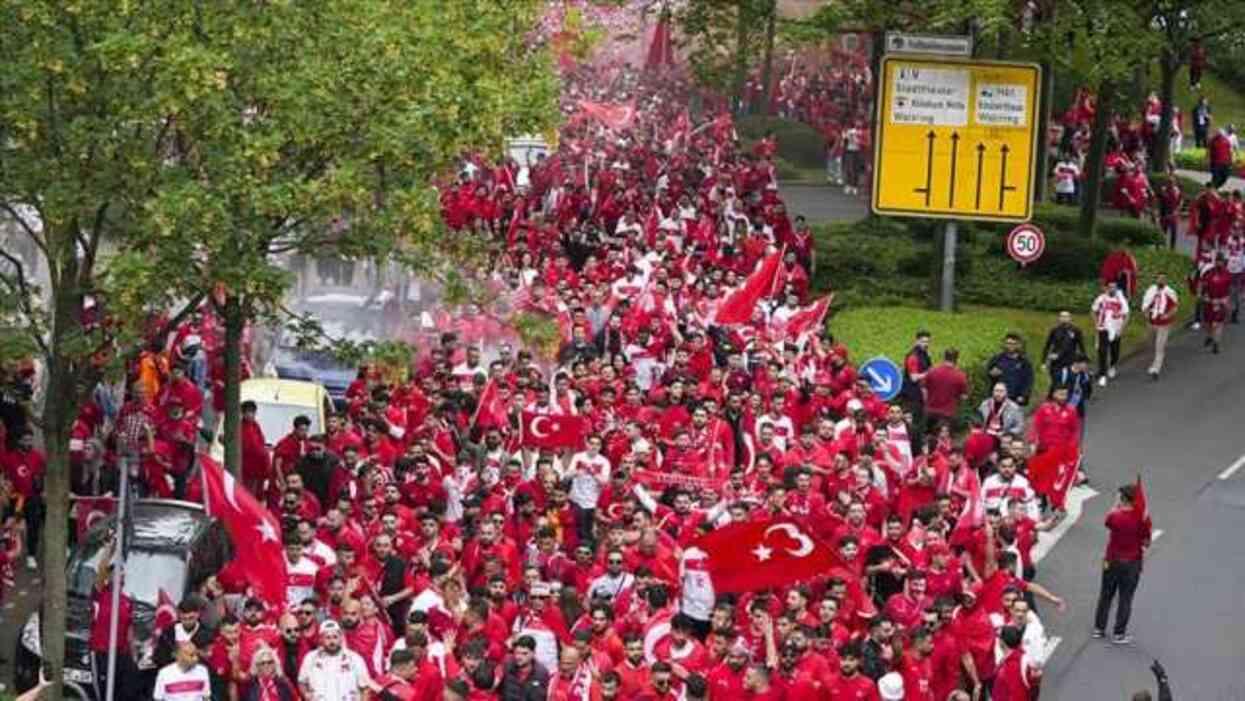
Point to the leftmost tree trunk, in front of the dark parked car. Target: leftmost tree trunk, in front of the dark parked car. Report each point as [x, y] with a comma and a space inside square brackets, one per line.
[60, 412]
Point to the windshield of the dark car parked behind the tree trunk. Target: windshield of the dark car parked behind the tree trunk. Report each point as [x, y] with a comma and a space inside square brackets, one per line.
[148, 572]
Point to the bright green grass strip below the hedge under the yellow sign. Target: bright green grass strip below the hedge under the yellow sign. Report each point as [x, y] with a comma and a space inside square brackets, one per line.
[977, 332]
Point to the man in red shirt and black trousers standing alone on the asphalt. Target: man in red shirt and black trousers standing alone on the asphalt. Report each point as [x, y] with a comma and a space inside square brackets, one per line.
[1129, 539]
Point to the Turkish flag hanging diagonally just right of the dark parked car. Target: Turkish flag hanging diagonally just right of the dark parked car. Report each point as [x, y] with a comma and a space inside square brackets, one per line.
[255, 531]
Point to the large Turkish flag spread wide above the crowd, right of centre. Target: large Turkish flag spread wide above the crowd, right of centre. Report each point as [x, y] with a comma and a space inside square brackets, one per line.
[763, 555]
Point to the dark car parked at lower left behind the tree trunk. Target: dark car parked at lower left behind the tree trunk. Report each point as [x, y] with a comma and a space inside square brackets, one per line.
[174, 546]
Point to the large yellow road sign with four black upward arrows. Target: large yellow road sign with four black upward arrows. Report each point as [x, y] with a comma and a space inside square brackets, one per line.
[957, 139]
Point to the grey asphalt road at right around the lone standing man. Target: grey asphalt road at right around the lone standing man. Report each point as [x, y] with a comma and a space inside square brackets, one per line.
[1182, 434]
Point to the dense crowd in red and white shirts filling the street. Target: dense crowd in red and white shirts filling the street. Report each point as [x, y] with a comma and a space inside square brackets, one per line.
[435, 551]
